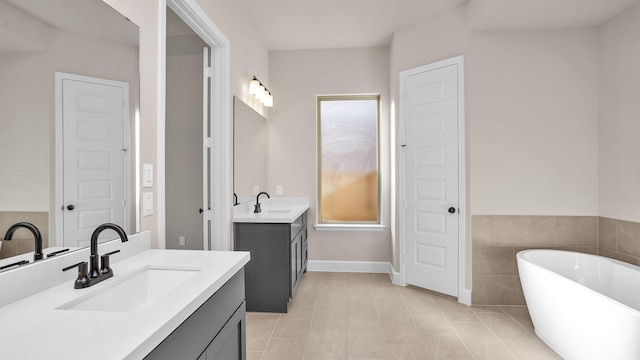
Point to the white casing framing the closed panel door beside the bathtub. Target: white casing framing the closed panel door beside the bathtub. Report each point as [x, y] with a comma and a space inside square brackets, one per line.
[464, 294]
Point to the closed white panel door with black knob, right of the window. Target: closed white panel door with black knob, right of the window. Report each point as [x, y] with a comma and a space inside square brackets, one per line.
[431, 179]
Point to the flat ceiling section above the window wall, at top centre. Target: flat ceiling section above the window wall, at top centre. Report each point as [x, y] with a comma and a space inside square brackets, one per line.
[306, 24]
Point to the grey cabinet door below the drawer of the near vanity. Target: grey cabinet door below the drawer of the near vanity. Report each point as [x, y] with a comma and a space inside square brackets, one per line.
[230, 342]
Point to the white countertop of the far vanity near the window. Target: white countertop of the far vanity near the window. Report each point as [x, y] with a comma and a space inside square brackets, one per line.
[274, 210]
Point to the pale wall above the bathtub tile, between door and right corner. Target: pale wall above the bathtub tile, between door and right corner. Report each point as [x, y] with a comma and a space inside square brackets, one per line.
[533, 122]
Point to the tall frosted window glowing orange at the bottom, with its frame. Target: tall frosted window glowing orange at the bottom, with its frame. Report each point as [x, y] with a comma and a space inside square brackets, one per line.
[348, 160]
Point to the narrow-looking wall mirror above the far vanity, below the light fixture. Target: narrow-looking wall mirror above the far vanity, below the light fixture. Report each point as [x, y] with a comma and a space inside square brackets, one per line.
[250, 151]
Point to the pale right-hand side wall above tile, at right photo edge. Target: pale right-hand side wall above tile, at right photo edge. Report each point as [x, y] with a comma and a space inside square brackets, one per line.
[620, 116]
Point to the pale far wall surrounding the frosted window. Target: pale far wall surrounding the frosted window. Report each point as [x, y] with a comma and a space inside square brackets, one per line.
[296, 78]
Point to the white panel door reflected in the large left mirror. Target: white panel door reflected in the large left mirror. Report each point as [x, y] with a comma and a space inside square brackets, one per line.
[94, 118]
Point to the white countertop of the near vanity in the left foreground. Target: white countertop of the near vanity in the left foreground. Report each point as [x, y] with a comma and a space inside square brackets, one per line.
[32, 328]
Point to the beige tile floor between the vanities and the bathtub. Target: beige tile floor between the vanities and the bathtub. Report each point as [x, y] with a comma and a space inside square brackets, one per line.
[351, 316]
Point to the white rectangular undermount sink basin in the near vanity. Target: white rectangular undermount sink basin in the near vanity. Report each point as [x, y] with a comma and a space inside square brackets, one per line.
[134, 292]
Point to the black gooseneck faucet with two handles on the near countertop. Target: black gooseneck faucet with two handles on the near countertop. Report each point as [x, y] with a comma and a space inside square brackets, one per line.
[96, 273]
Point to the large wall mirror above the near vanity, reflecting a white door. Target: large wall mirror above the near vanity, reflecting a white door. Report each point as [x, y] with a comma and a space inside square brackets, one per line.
[40, 39]
